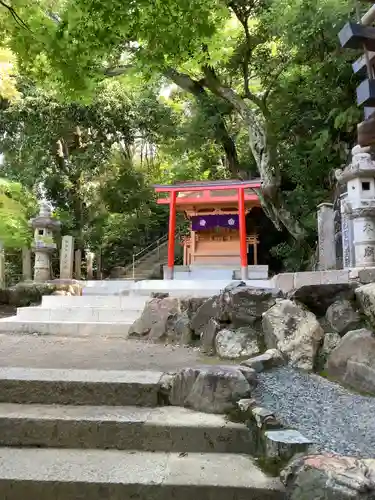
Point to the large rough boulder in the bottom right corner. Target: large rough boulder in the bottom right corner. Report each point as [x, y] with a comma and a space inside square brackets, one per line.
[329, 477]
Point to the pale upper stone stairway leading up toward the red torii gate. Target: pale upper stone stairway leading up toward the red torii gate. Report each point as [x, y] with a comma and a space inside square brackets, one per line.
[107, 308]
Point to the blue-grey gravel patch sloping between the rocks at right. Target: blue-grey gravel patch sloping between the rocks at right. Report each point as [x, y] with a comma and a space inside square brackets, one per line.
[335, 419]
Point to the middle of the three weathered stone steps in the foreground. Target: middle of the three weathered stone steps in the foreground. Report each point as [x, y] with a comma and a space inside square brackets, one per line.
[168, 429]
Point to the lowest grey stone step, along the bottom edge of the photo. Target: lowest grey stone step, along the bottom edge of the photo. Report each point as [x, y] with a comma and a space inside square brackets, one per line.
[65, 474]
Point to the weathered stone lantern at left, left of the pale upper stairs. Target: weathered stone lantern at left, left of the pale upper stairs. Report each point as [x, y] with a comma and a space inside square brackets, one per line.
[44, 227]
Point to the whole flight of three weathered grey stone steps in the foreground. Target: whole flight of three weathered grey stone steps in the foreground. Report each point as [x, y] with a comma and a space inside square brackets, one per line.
[91, 435]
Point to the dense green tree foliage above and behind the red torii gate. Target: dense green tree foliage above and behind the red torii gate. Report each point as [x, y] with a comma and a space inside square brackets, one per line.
[280, 57]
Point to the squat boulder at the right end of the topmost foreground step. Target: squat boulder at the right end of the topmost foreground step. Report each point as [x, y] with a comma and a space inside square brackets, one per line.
[214, 389]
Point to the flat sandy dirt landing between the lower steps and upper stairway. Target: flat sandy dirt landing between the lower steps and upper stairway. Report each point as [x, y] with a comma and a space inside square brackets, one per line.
[94, 353]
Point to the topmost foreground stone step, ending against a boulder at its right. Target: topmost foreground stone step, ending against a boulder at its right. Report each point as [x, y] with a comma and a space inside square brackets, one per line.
[79, 387]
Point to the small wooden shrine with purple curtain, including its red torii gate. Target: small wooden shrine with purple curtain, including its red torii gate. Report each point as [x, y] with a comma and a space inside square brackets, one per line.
[217, 213]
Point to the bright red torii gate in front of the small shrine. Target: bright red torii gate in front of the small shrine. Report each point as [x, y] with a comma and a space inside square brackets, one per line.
[207, 187]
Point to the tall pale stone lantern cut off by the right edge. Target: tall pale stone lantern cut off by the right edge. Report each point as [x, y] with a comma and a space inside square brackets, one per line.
[359, 206]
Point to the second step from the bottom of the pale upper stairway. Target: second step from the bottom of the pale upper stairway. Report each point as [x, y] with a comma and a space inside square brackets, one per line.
[87, 314]
